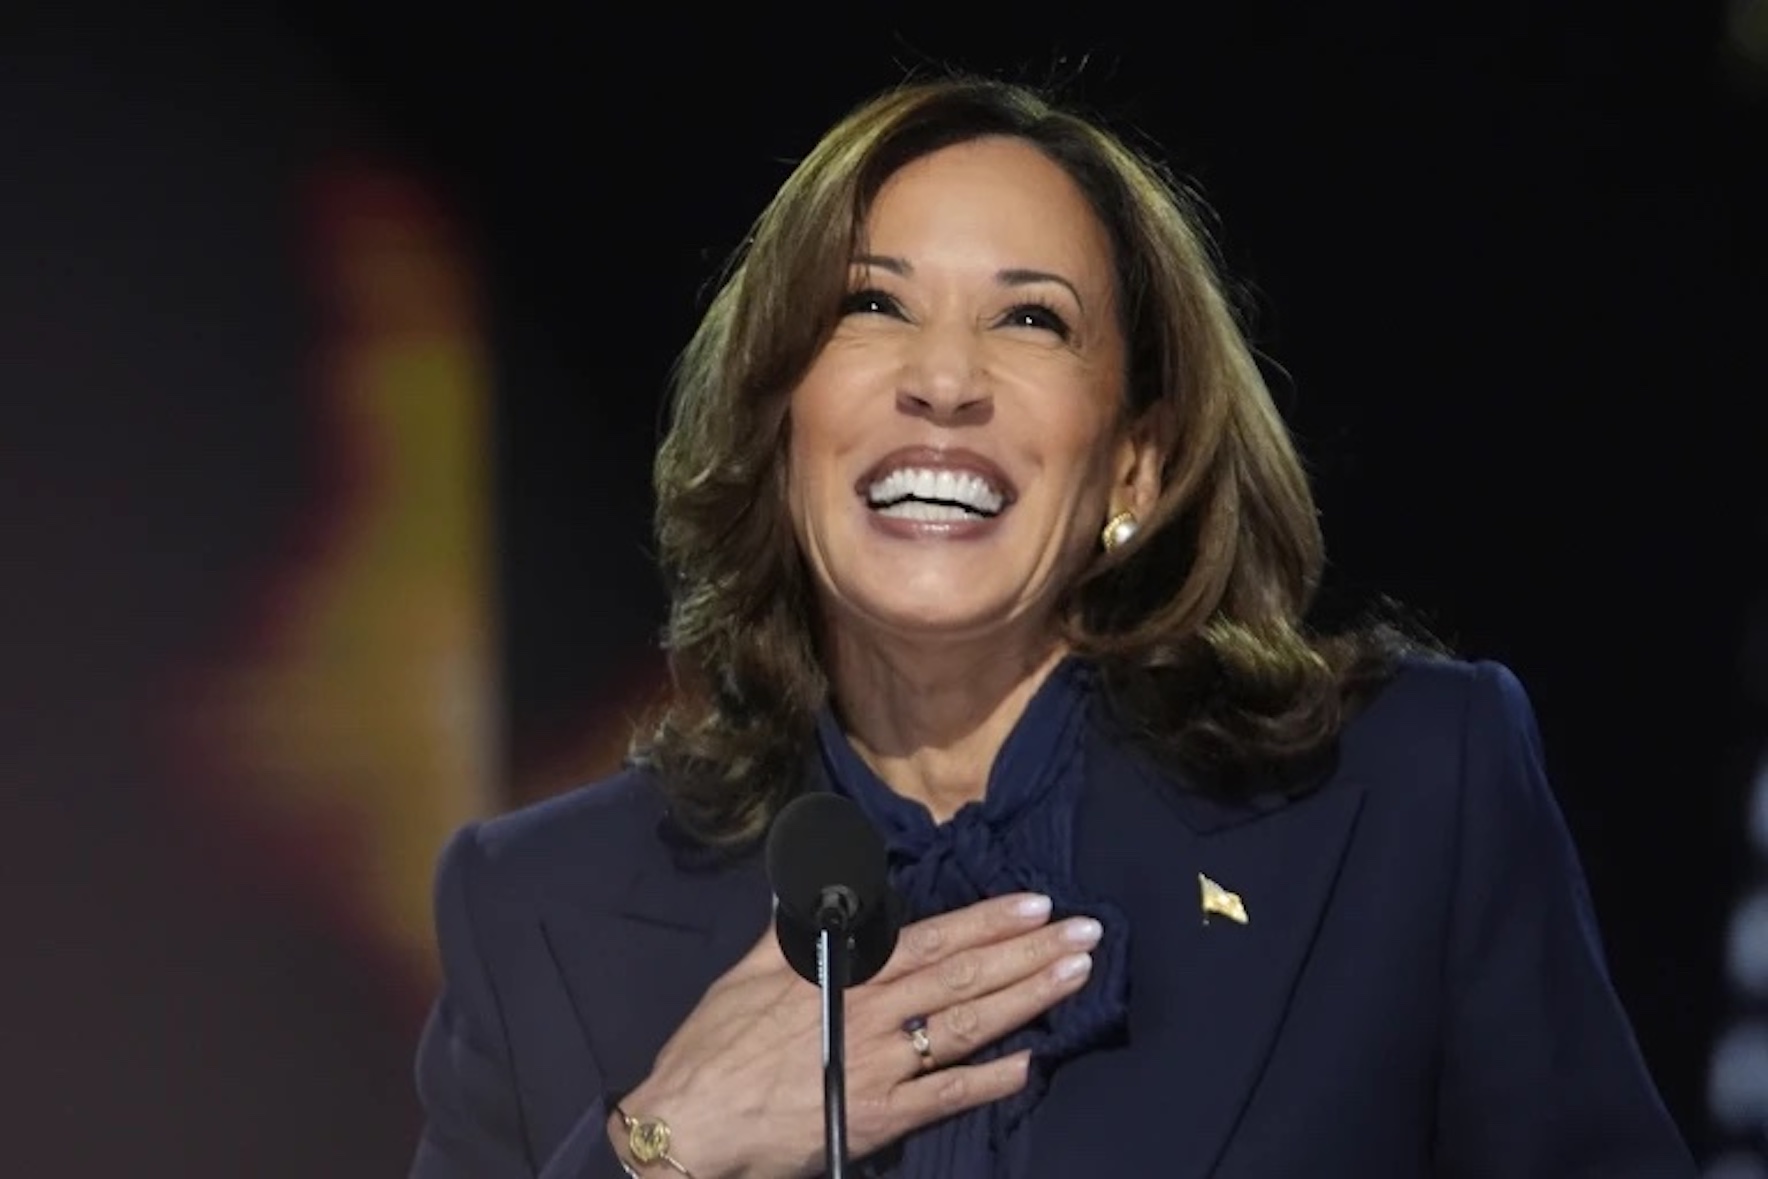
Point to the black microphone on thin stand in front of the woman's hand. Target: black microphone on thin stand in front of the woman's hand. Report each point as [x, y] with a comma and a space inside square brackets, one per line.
[837, 924]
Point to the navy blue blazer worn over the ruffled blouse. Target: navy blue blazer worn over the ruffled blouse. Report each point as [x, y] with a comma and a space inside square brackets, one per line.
[1419, 989]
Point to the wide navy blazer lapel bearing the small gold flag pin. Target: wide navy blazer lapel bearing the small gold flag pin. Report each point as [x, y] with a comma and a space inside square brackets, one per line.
[1208, 993]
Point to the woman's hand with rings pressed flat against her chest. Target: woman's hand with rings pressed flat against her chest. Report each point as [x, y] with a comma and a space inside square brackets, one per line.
[742, 1084]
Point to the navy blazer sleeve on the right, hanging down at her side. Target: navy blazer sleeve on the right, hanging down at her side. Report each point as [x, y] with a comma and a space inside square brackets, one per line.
[1543, 1077]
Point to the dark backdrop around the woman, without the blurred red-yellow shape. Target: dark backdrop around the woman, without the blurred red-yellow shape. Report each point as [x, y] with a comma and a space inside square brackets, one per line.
[1507, 270]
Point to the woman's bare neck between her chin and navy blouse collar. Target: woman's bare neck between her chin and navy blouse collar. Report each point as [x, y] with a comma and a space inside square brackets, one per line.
[931, 720]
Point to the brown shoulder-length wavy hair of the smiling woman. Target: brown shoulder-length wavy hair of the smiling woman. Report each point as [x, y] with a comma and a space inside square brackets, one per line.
[1196, 625]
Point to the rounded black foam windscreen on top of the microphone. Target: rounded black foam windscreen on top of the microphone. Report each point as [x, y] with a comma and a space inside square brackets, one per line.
[823, 841]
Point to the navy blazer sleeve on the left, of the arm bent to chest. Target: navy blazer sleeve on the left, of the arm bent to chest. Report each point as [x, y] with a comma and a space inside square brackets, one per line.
[466, 1072]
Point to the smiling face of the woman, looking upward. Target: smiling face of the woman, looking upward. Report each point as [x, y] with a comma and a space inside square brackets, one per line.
[954, 448]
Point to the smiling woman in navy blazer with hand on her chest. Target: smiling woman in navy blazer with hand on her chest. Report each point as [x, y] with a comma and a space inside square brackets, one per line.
[979, 513]
